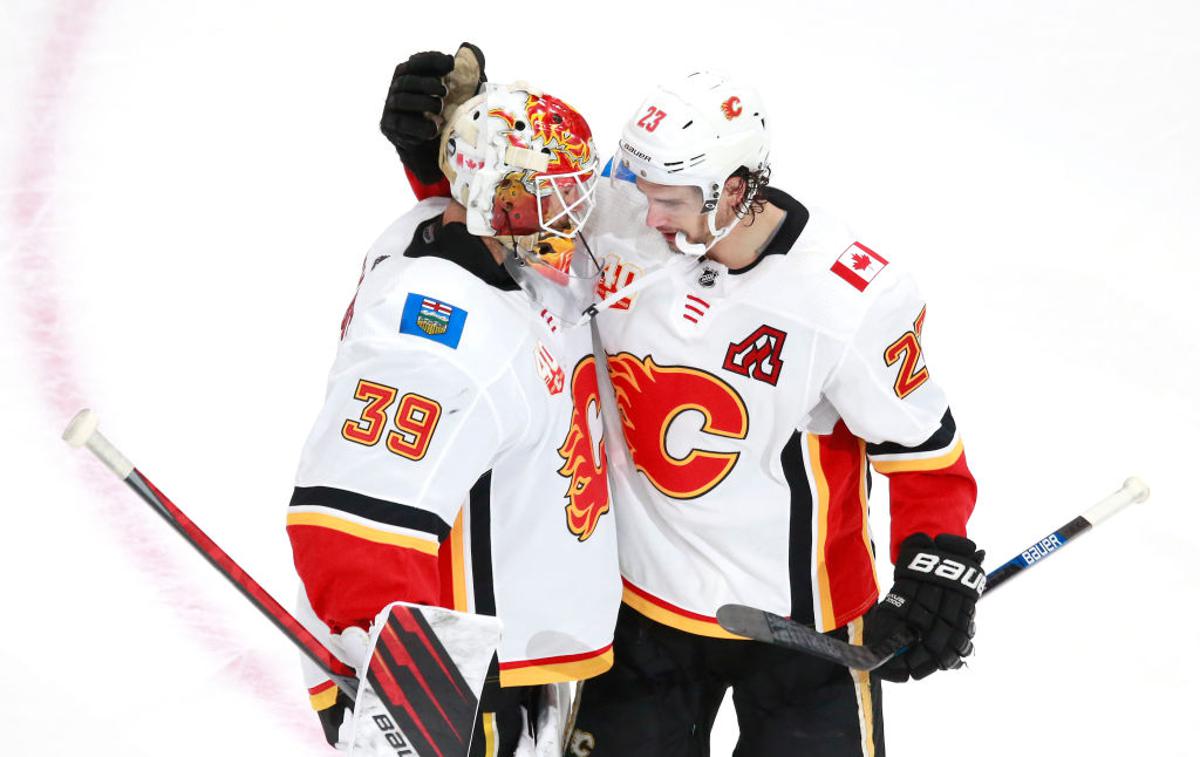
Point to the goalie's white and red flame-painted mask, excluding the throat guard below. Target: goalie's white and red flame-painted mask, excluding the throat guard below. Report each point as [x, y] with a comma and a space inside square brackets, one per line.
[512, 152]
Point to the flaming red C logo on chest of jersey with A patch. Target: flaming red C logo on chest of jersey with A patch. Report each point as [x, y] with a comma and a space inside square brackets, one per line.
[651, 398]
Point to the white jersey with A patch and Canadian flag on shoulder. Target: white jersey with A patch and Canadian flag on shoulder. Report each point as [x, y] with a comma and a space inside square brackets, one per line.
[752, 402]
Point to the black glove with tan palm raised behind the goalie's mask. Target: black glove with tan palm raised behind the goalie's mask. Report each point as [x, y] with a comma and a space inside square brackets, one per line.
[423, 91]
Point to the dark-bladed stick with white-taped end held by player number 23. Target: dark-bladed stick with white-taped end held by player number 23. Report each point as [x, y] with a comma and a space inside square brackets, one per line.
[765, 627]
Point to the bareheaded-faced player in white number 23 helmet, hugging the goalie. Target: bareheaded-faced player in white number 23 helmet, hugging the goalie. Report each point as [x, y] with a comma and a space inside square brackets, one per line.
[758, 381]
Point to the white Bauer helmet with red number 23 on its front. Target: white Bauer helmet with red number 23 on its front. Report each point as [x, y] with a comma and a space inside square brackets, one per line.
[698, 131]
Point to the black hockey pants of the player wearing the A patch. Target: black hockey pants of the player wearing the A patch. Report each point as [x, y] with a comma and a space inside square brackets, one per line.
[665, 687]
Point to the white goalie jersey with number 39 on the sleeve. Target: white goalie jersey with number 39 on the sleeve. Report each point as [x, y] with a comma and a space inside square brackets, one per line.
[459, 460]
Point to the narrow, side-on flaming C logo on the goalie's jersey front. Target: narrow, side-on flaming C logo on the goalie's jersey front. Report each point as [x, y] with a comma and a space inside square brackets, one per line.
[586, 465]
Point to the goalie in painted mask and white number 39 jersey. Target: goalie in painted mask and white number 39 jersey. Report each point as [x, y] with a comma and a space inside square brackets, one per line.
[459, 459]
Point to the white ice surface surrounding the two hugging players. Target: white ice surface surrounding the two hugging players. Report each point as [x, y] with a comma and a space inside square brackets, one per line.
[189, 190]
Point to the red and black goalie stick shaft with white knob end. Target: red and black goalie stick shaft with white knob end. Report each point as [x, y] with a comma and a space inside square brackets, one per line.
[83, 431]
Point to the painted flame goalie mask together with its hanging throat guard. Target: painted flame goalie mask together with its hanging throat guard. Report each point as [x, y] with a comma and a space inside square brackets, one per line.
[524, 166]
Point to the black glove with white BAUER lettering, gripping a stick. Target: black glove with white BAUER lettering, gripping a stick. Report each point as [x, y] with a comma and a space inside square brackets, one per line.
[938, 584]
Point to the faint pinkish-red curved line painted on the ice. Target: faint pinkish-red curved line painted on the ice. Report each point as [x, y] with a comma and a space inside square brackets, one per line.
[43, 322]
